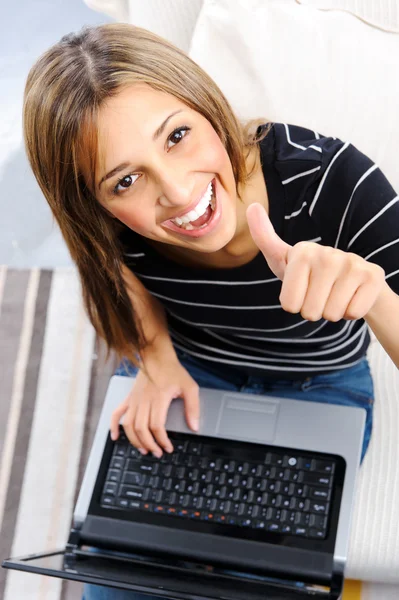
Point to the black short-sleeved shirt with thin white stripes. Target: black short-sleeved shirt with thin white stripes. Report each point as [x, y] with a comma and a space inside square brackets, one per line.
[320, 189]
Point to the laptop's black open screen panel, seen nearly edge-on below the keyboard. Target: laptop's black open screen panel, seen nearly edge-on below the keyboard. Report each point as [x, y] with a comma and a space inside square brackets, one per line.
[142, 575]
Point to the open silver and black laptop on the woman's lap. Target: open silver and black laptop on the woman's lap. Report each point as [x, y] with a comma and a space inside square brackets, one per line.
[257, 504]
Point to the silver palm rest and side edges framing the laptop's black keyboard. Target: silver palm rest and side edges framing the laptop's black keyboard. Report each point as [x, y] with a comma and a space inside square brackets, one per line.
[271, 420]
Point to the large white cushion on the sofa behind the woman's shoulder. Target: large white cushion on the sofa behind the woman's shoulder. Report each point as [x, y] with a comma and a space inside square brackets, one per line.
[326, 70]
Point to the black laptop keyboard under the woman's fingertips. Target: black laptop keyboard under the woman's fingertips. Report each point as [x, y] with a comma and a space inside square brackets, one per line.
[244, 486]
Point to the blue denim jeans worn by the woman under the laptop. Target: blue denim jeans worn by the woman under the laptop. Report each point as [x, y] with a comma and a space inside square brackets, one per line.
[348, 387]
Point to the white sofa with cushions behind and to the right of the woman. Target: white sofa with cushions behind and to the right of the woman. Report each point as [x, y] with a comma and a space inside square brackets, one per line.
[329, 65]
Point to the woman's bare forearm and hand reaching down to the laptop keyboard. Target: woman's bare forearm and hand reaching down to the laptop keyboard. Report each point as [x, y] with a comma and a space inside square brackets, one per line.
[144, 411]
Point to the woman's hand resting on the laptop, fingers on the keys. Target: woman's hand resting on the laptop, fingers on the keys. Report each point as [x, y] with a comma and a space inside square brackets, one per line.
[145, 408]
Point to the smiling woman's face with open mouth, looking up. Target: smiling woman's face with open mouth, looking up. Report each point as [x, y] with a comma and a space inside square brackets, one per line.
[166, 176]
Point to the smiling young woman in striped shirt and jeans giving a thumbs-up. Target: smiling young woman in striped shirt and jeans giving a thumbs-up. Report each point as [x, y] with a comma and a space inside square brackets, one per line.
[211, 253]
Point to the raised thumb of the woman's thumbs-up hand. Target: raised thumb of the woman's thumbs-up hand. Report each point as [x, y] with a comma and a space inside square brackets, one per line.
[273, 248]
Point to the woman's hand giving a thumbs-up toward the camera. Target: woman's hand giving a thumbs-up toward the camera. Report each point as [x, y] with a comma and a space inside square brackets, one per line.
[318, 281]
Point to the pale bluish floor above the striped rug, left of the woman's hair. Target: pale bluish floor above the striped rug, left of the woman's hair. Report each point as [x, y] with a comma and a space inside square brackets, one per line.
[28, 235]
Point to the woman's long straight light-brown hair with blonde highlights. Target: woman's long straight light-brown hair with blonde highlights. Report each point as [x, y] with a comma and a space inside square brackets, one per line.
[64, 91]
